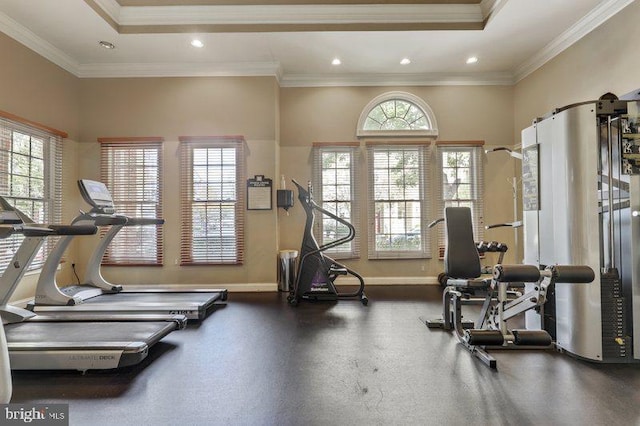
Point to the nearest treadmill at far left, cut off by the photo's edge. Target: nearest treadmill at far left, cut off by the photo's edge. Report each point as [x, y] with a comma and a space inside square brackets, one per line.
[54, 342]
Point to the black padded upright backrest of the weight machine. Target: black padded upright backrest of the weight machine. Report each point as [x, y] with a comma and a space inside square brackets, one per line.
[461, 259]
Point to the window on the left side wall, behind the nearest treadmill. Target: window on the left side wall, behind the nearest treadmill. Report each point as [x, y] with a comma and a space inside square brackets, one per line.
[30, 179]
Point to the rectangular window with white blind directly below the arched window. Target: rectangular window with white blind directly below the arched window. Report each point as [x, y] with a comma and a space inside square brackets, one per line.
[398, 200]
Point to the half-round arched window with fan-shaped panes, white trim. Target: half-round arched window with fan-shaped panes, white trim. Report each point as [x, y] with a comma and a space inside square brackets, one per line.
[397, 114]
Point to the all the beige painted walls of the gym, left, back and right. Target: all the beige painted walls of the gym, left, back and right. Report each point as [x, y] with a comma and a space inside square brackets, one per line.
[280, 124]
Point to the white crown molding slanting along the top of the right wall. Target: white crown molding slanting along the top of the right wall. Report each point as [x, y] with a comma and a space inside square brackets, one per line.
[591, 21]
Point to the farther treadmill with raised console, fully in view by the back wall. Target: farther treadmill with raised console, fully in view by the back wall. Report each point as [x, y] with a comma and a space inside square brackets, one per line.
[97, 294]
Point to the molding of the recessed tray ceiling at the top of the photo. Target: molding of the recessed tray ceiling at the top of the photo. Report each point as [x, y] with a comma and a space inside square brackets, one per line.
[269, 17]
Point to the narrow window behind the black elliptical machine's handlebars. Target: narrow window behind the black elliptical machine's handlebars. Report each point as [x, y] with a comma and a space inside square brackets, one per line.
[334, 173]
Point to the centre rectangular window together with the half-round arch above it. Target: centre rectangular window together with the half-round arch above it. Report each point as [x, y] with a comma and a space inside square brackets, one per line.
[398, 172]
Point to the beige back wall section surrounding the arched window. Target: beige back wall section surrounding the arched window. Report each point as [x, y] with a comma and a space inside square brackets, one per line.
[331, 115]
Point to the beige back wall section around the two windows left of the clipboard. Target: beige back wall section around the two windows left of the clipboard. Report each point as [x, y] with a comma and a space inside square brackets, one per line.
[173, 107]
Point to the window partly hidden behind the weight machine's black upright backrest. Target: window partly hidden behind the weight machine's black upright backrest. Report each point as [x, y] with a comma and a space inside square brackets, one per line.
[462, 183]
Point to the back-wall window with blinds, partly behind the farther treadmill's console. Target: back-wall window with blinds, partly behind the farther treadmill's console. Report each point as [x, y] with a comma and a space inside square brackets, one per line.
[132, 170]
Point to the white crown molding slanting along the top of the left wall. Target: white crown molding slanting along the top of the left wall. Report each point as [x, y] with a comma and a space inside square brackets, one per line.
[37, 44]
